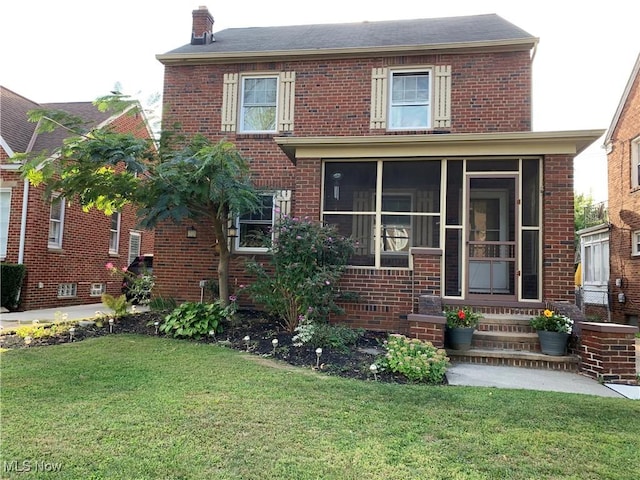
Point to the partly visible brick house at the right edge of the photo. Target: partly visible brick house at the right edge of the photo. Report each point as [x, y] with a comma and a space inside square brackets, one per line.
[623, 158]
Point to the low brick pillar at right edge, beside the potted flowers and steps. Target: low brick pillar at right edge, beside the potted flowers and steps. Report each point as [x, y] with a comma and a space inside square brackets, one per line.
[608, 353]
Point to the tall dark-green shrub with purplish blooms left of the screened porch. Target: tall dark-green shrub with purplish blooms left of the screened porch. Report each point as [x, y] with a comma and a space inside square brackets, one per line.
[307, 261]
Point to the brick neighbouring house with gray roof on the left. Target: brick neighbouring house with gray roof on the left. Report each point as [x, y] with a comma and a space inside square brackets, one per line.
[63, 248]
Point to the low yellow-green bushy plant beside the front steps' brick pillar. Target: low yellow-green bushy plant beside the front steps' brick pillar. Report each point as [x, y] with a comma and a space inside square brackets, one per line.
[417, 360]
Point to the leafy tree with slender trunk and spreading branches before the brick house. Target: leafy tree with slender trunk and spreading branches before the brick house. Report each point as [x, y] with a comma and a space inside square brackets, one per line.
[179, 179]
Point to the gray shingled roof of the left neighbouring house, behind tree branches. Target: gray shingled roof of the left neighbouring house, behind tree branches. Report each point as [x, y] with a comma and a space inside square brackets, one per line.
[18, 132]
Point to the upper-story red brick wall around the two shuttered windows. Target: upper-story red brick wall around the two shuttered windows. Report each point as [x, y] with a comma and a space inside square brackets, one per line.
[490, 93]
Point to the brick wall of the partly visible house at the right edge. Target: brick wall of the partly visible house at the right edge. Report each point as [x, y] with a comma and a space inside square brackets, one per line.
[624, 210]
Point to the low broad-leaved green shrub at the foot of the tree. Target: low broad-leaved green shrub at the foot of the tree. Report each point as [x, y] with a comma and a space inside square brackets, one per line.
[195, 320]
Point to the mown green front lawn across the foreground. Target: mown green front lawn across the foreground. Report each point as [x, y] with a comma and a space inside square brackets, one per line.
[128, 407]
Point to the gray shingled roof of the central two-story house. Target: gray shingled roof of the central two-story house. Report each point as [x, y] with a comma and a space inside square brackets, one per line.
[393, 33]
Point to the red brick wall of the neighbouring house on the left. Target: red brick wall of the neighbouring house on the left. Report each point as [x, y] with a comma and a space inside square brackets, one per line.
[85, 243]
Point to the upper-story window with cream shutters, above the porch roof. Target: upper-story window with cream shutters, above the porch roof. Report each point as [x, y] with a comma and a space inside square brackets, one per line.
[416, 98]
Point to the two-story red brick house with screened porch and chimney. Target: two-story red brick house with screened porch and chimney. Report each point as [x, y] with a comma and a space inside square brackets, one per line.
[413, 137]
